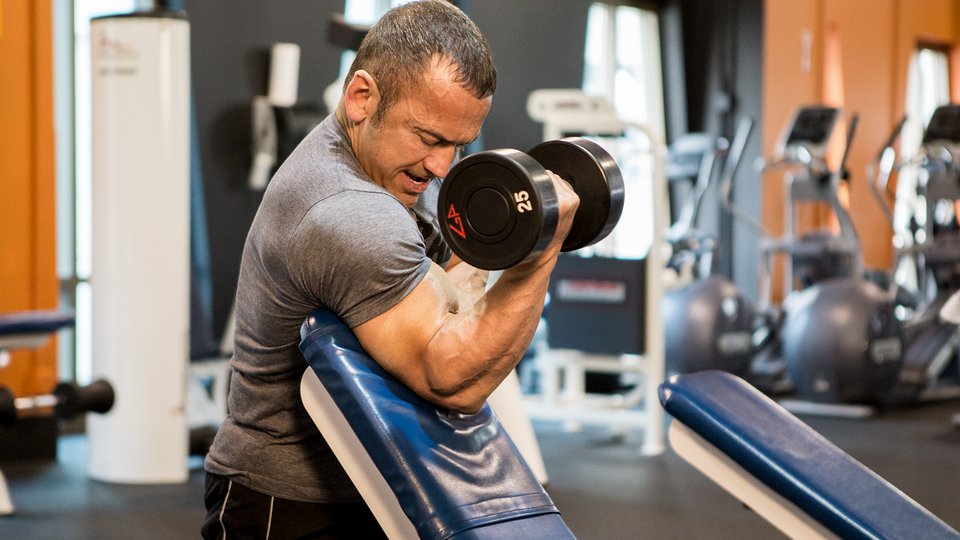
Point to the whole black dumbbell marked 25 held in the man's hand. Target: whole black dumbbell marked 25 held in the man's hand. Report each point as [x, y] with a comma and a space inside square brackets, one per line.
[499, 208]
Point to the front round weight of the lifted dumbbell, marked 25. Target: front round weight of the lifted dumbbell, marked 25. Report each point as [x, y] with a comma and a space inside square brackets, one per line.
[500, 210]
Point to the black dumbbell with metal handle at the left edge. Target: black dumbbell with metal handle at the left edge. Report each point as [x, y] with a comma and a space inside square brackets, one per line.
[67, 400]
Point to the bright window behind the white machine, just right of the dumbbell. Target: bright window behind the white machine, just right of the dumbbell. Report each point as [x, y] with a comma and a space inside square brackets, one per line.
[622, 63]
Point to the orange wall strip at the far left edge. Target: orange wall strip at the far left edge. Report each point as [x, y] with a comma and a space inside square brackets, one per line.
[27, 182]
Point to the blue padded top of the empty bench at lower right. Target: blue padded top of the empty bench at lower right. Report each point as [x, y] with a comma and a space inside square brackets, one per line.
[795, 461]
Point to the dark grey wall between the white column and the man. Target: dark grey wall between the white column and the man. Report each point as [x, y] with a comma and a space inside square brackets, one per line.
[230, 45]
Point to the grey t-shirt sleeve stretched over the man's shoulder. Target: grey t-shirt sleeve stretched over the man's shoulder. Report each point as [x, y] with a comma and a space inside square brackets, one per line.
[357, 254]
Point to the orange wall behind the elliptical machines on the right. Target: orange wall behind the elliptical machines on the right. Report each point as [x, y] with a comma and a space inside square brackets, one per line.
[876, 40]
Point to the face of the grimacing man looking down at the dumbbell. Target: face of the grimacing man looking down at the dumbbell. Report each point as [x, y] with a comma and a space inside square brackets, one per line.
[421, 134]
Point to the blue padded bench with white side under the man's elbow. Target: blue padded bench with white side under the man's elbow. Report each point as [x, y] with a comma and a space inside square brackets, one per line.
[425, 472]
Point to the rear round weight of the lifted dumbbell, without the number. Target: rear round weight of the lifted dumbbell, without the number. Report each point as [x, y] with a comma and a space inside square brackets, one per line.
[595, 177]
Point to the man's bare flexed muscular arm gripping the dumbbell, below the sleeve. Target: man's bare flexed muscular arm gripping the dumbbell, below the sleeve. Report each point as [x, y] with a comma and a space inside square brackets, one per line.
[453, 345]
